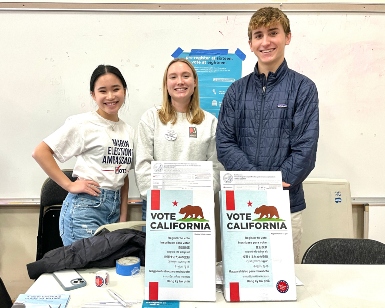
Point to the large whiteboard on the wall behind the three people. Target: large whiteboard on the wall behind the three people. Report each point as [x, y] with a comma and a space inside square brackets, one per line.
[47, 59]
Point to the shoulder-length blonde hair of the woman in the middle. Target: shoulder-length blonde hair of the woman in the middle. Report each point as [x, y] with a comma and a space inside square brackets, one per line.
[167, 113]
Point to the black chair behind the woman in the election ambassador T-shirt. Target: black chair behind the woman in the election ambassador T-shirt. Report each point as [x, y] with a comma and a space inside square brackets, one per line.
[51, 200]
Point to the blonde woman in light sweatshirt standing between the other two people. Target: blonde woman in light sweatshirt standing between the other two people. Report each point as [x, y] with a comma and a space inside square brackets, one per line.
[179, 130]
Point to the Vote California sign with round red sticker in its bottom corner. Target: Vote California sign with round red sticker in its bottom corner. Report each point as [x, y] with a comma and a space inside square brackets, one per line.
[257, 246]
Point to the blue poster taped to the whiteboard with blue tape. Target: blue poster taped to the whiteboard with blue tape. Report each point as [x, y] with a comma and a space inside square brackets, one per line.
[217, 69]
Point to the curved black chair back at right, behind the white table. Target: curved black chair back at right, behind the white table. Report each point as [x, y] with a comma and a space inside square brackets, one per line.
[345, 251]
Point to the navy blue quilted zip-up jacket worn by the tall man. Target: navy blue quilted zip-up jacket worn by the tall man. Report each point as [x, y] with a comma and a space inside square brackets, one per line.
[271, 125]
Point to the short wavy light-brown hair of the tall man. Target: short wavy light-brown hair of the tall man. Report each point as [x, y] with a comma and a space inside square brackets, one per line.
[266, 17]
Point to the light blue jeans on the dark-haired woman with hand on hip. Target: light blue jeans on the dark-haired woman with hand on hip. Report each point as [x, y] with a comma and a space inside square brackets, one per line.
[82, 214]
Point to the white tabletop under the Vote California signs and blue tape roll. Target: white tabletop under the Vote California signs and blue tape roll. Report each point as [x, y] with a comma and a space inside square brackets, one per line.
[324, 286]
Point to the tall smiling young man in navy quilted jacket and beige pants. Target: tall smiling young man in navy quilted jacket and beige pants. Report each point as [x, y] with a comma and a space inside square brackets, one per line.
[269, 119]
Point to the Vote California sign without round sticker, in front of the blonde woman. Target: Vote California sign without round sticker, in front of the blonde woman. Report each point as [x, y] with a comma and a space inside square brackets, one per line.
[180, 245]
